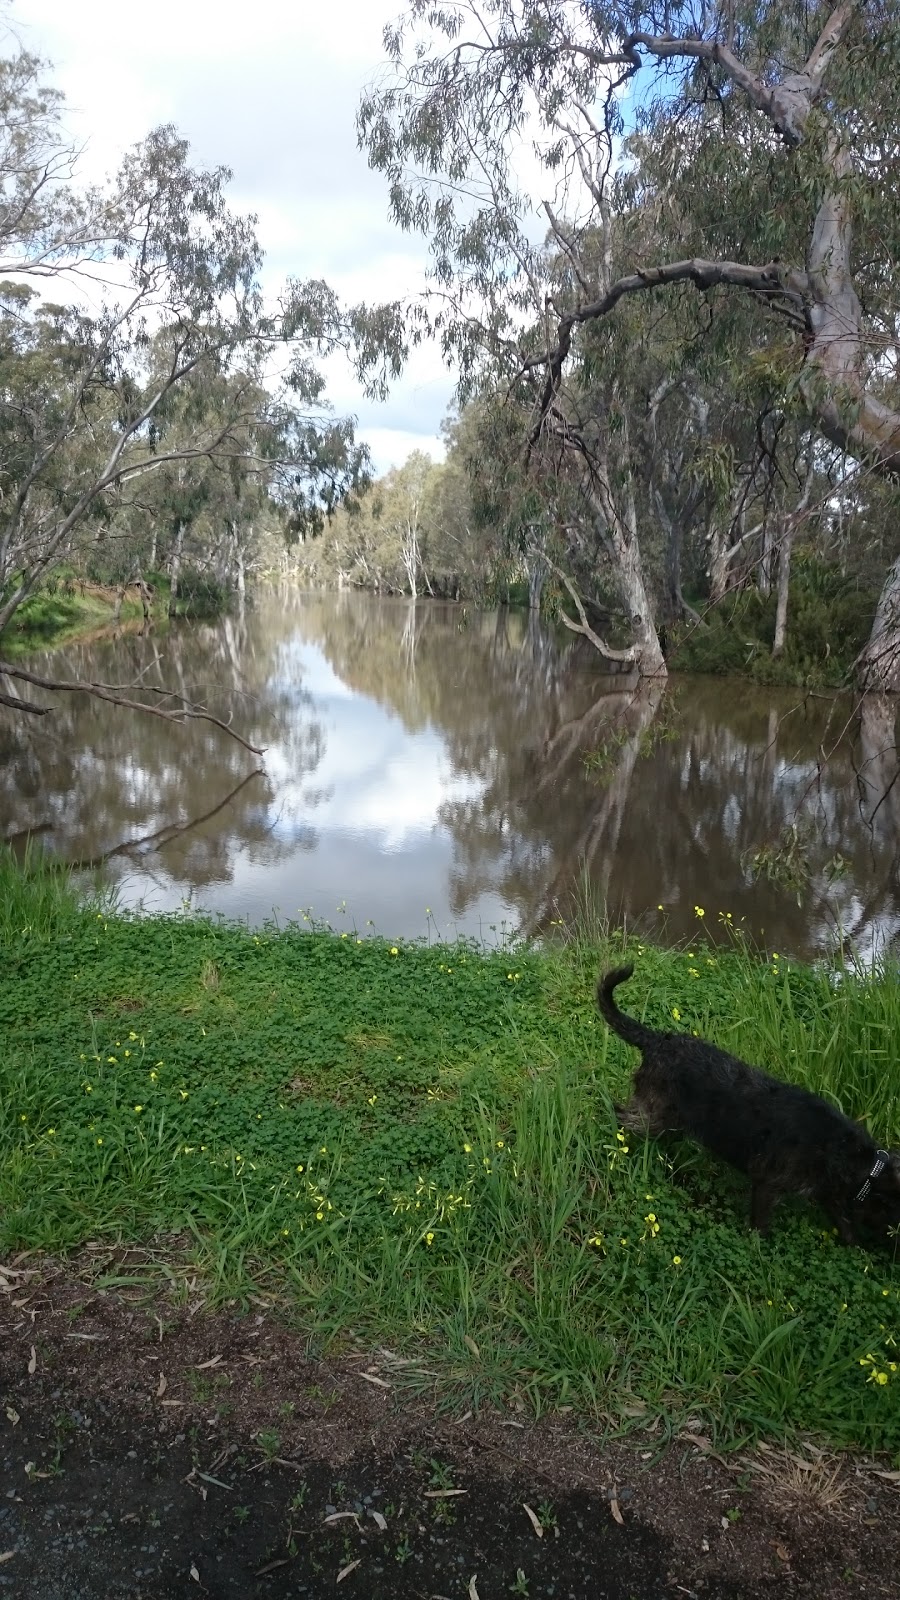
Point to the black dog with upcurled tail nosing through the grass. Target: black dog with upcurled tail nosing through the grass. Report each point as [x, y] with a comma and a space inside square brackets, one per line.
[784, 1138]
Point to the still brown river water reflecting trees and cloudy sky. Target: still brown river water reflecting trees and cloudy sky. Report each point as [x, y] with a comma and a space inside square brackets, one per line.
[472, 764]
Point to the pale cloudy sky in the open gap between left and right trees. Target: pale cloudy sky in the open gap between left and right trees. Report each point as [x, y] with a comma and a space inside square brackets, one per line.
[268, 90]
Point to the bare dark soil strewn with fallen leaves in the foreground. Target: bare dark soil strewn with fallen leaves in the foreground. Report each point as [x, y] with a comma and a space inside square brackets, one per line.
[155, 1449]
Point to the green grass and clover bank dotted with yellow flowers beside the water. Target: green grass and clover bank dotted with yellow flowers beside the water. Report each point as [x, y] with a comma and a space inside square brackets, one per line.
[417, 1145]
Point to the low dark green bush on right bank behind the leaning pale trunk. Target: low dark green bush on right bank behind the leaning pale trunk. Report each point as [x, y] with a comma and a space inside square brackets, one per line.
[829, 622]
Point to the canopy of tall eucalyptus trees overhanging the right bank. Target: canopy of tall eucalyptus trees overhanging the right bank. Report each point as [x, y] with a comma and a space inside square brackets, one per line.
[643, 217]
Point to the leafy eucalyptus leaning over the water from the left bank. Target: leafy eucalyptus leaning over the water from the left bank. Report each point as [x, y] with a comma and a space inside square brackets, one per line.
[156, 292]
